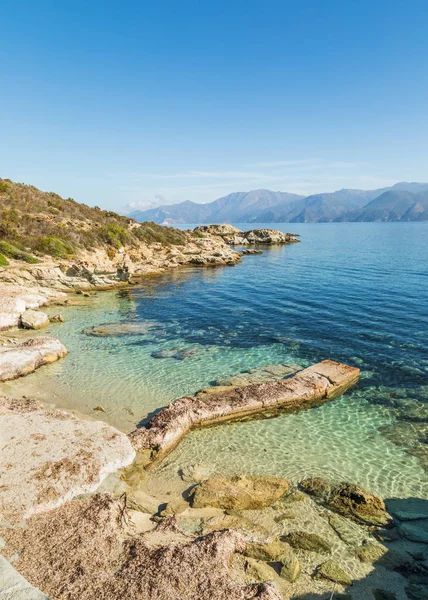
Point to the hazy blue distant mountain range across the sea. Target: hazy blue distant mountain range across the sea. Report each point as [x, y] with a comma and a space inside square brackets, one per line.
[400, 202]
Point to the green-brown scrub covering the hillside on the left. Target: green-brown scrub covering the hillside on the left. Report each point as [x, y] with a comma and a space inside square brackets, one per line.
[35, 223]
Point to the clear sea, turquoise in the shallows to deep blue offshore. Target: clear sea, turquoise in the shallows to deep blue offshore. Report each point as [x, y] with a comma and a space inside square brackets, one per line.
[357, 293]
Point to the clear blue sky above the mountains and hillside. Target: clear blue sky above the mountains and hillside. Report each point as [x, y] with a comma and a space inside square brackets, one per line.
[159, 101]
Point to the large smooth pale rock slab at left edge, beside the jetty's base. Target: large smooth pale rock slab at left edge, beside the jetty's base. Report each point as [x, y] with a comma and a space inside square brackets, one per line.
[50, 456]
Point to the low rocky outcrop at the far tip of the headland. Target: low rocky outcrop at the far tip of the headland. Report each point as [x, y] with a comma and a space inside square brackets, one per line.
[234, 236]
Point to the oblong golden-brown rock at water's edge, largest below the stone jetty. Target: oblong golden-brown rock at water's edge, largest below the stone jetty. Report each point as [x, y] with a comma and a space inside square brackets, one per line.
[240, 493]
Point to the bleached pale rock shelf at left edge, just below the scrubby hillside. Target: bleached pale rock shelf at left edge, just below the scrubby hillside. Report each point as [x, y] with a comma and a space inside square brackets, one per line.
[16, 300]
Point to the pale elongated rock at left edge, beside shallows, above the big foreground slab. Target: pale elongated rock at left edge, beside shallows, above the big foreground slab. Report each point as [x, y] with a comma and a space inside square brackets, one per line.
[22, 359]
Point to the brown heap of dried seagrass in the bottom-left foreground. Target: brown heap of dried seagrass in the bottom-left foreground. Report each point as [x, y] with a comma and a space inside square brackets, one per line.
[86, 550]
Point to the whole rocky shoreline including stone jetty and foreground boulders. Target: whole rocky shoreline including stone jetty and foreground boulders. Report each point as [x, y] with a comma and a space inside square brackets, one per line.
[241, 538]
